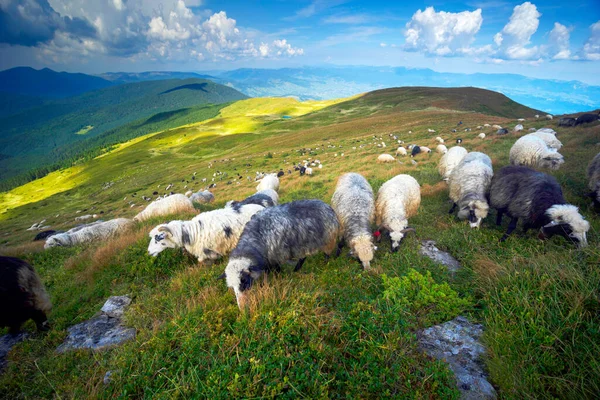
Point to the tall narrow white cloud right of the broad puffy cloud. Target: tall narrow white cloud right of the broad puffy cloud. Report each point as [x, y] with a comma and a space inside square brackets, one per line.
[514, 38]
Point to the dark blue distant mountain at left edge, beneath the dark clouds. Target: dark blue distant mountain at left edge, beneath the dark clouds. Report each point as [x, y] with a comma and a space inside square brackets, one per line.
[48, 83]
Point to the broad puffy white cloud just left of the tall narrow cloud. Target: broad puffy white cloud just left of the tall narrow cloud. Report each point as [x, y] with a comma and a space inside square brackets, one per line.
[443, 33]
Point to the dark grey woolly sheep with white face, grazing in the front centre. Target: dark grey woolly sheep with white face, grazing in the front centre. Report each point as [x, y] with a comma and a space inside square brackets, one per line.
[289, 231]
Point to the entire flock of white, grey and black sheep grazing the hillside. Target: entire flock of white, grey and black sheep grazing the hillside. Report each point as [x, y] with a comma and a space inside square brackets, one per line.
[261, 235]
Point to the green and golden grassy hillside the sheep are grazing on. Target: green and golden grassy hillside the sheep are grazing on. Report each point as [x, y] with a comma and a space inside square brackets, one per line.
[330, 330]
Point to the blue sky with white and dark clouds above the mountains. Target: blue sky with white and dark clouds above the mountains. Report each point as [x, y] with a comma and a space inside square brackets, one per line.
[541, 39]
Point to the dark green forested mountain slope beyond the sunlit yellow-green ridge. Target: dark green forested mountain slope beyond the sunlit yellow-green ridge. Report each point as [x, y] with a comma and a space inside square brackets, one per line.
[43, 135]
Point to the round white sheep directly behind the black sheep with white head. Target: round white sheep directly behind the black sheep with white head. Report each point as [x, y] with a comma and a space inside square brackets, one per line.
[532, 151]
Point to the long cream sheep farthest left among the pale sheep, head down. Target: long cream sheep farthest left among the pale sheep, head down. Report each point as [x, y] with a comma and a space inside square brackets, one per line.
[88, 233]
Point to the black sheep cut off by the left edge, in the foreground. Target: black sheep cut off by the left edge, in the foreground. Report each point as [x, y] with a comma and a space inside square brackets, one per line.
[22, 296]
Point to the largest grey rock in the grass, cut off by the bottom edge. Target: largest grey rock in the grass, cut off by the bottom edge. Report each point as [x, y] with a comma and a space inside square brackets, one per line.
[457, 343]
